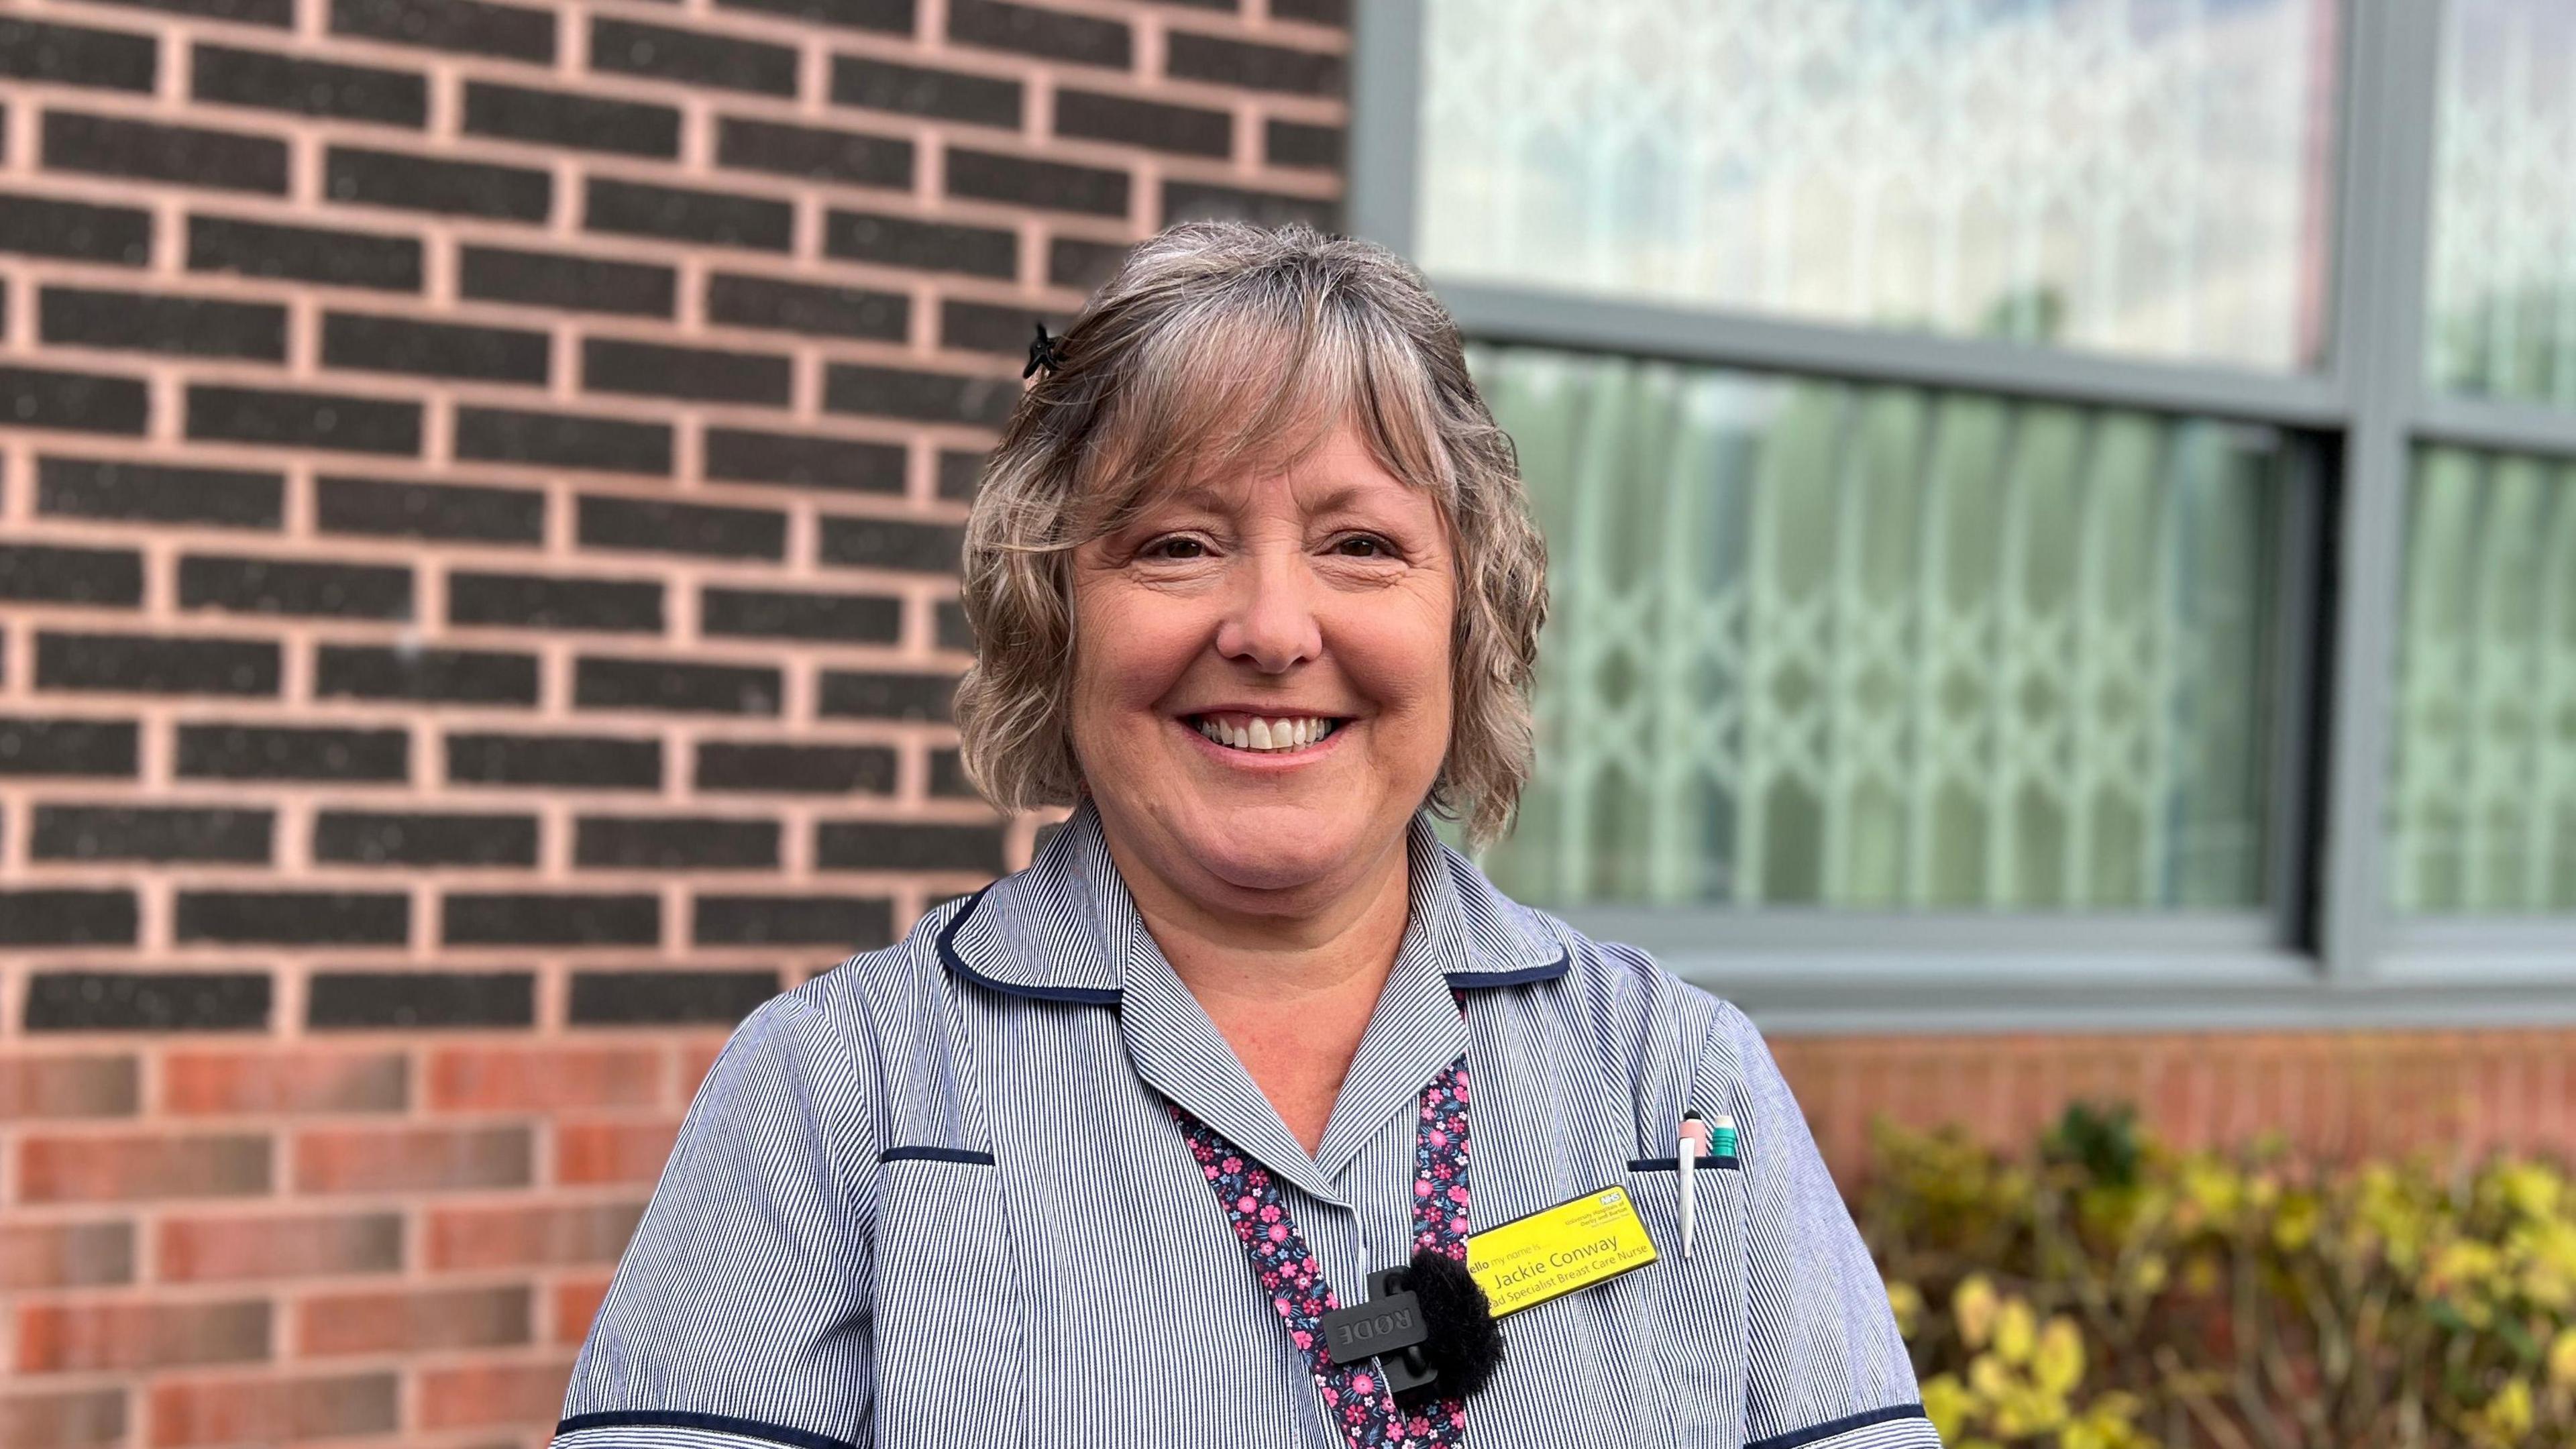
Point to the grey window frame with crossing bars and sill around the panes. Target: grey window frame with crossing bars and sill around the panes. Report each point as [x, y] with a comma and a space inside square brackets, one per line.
[2327, 950]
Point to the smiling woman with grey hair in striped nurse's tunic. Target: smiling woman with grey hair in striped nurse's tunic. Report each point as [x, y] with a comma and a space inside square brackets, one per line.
[1101, 1154]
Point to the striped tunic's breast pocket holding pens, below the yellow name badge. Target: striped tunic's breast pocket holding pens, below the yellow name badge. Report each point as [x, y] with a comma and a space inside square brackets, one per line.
[1696, 1308]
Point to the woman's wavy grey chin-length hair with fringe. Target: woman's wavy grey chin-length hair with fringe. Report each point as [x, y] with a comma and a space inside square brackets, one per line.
[1222, 347]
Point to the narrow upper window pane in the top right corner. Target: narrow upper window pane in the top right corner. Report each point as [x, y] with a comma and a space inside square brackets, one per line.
[2505, 205]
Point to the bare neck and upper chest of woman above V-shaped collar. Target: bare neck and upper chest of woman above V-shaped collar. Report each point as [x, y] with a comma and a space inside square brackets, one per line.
[1289, 989]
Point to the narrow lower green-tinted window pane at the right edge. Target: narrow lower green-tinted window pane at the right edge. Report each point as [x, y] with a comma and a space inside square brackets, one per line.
[2485, 803]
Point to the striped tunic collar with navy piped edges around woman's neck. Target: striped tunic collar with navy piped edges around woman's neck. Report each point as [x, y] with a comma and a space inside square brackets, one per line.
[1068, 932]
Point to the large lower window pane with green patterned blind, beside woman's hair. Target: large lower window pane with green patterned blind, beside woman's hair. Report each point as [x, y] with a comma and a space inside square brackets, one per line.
[1884, 648]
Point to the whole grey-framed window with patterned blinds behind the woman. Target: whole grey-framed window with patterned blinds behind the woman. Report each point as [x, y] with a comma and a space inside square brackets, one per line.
[2057, 507]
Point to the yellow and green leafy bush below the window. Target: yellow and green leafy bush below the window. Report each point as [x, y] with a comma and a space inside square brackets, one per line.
[2114, 1293]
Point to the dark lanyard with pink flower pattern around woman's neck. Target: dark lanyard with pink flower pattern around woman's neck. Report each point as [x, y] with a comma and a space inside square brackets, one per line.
[1297, 1285]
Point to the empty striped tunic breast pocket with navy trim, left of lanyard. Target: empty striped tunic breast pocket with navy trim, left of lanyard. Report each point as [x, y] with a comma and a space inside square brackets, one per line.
[947, 1303]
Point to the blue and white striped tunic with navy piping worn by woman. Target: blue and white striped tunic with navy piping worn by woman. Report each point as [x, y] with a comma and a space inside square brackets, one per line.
[934, 1198]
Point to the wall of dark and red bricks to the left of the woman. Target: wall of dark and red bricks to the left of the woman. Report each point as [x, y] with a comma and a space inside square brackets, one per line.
[478, 592]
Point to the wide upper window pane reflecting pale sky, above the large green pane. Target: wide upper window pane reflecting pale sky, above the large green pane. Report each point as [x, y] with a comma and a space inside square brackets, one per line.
[2145, 177]
